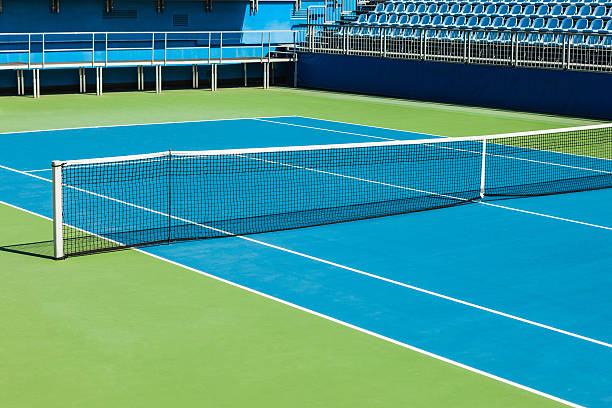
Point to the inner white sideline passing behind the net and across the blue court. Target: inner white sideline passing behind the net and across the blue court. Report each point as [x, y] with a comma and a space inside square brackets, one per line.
[321, 260]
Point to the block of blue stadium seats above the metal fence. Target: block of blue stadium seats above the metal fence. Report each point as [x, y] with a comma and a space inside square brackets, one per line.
[539, 22]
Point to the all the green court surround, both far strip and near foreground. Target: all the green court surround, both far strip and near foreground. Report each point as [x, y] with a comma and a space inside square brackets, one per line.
[125, 329]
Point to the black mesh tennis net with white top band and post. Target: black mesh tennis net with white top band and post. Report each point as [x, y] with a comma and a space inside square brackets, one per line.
[109, 203]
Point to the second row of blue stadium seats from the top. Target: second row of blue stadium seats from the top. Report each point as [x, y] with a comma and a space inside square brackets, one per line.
[487, 22]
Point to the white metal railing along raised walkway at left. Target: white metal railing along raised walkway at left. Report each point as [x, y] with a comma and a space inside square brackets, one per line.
[44, 50]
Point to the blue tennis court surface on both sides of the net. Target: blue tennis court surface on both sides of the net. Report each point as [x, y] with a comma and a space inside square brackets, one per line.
[517, 289]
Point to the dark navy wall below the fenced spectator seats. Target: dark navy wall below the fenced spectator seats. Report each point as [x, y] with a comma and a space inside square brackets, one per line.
[538, 90]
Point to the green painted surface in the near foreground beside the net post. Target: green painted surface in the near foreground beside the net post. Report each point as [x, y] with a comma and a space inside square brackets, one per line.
[124, 329]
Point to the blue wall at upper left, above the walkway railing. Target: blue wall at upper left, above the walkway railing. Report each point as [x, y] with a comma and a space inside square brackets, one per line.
[87, 15]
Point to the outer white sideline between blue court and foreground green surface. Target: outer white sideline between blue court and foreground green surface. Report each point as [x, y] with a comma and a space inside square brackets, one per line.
[341, 322]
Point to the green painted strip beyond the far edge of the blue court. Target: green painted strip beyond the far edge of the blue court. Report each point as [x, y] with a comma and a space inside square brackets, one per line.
[60, 111]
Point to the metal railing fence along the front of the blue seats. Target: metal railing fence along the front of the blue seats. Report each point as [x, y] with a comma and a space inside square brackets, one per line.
[539, 49]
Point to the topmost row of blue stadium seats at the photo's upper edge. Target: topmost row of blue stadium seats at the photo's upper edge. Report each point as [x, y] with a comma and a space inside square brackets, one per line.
[502, 10]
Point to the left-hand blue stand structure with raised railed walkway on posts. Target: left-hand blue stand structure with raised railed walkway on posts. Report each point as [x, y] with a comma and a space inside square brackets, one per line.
[135, 44]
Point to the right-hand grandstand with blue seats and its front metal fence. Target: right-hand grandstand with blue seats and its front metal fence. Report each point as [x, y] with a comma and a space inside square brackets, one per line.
[554, 34]
